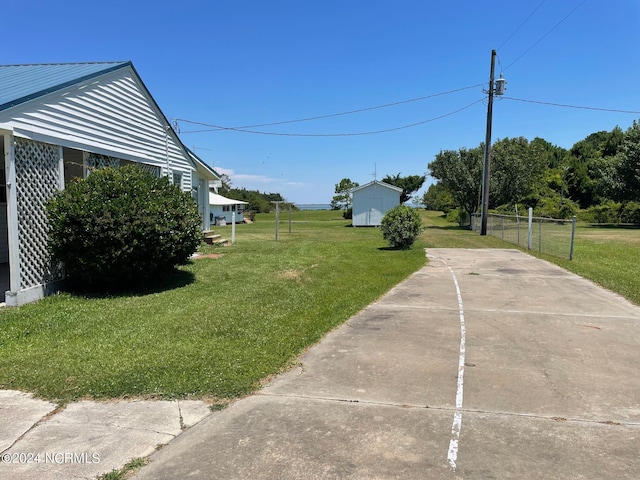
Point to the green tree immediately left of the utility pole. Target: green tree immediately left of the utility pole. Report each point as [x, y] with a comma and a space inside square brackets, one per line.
[460, 172]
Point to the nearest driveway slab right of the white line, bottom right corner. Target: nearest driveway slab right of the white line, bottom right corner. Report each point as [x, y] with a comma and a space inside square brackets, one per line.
[528, 448]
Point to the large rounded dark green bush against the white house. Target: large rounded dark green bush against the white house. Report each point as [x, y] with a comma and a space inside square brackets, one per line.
[119, 226]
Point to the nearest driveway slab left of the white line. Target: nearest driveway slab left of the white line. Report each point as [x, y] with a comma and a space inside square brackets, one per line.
[280, 437]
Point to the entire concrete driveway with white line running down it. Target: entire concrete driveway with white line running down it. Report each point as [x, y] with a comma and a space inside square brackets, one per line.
[484, 364]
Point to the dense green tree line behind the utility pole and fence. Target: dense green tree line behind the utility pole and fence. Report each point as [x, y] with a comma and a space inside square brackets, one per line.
[598, 178]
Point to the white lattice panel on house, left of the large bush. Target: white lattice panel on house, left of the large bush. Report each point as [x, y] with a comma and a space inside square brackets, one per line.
[37, 180]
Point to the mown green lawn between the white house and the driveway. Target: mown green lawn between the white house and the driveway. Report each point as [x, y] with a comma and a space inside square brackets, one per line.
[214, 330]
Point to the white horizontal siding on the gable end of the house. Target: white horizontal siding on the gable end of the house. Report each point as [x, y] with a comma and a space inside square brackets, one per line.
[110, 115]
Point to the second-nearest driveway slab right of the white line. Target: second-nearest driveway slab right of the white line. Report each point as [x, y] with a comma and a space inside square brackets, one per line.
[555, 365]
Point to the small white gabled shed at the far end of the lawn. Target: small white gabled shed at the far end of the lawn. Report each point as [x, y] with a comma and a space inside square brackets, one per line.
[372, 201]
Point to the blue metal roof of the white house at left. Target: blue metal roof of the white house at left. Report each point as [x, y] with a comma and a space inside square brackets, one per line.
[20, 83]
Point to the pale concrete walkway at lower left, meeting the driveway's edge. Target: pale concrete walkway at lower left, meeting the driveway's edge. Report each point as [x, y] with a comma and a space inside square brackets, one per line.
[87, 439]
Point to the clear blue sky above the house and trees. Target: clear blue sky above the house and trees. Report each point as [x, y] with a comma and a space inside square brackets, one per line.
[238, 63]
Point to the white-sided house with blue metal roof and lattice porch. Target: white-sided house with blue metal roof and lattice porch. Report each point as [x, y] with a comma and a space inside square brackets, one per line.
[57, 121]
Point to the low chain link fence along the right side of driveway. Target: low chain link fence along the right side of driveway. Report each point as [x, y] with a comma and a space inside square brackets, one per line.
[546, 235]
